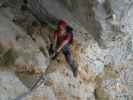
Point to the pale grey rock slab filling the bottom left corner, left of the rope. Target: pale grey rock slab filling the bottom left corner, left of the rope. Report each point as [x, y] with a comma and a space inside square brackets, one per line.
[10, 85]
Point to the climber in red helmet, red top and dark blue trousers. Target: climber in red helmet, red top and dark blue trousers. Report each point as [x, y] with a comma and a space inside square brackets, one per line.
[63, 37]
